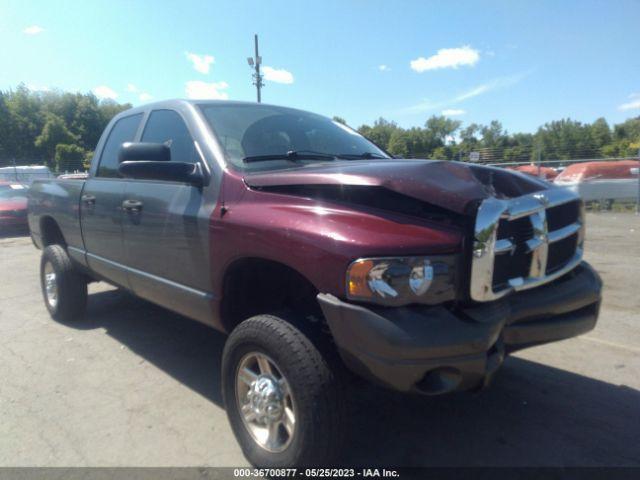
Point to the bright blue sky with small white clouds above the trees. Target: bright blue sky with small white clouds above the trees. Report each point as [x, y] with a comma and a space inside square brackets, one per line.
[521, 62]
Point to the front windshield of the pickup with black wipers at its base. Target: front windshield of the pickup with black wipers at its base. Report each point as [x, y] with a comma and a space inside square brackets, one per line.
[263, 137]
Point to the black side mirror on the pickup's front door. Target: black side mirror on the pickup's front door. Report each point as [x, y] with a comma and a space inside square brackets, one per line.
[162, 170]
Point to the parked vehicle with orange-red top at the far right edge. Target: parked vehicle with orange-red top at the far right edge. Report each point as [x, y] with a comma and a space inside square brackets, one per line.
[602, 181]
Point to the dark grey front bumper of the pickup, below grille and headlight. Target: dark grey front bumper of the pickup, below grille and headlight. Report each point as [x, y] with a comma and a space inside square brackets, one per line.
[433, 350]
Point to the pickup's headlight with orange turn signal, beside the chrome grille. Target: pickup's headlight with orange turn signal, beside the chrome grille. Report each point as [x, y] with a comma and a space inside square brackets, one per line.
[396, 281]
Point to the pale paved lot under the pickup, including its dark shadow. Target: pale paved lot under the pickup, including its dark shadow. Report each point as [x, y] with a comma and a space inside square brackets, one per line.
[135, 385]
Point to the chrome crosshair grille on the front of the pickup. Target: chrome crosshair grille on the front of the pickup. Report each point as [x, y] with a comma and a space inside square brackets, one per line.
[525, 242]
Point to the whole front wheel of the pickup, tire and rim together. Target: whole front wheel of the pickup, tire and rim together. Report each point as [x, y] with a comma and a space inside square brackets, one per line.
[283, 401]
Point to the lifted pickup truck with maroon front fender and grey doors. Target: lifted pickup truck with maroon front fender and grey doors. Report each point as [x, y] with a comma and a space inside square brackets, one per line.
[320, 255]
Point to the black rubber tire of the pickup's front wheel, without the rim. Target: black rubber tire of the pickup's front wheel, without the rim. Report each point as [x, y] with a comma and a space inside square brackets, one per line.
[317, 389]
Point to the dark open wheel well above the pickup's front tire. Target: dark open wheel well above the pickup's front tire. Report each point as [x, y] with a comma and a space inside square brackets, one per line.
[255, 286]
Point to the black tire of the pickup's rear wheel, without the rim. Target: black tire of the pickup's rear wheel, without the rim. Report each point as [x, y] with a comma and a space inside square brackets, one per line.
[71, 286]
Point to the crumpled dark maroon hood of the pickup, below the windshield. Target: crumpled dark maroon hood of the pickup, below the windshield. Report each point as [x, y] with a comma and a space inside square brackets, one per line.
[450, 185]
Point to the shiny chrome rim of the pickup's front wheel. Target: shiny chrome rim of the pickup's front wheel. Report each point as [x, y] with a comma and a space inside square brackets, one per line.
[265, 402]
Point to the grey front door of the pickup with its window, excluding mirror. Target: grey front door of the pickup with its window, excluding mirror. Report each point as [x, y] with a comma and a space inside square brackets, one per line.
[165, 227]
